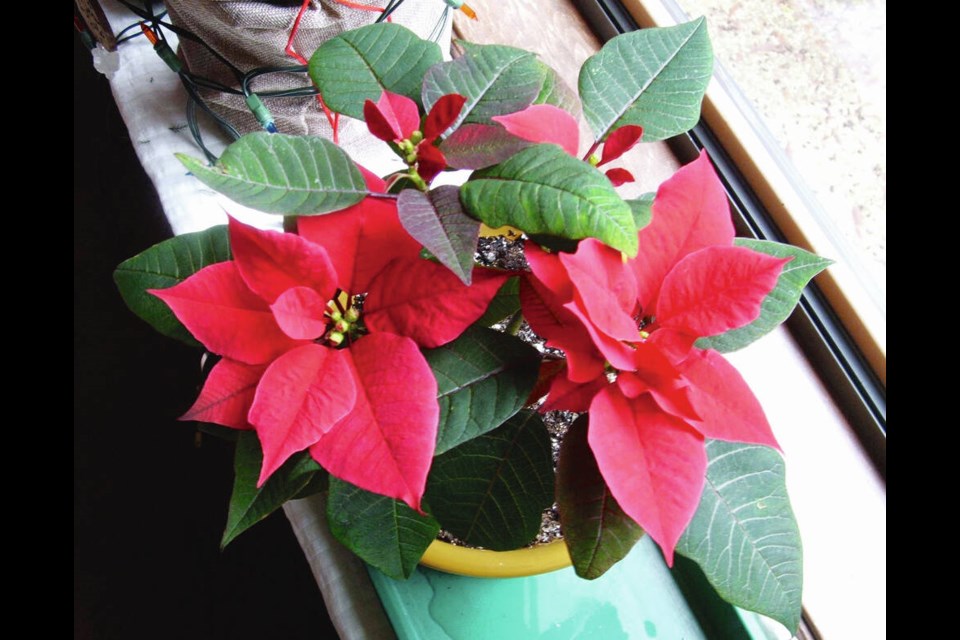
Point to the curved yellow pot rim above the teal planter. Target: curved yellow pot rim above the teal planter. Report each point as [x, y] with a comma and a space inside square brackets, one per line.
[481, 563]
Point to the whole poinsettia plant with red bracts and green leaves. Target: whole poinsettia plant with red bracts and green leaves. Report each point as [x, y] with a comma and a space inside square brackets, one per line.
[366, 353]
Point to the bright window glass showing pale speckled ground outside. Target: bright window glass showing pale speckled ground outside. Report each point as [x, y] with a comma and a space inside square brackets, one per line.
[814, 71]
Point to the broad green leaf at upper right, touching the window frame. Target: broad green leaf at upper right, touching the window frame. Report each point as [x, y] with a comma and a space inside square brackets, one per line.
[654, 78]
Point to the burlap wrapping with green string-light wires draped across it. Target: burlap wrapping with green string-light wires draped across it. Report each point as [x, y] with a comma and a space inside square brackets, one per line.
[254, 34]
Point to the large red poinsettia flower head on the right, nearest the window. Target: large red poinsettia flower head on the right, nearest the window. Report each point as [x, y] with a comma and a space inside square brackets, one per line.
[629, 327]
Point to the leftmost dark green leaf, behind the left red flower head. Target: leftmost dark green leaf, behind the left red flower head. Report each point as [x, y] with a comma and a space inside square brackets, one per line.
[164, 265]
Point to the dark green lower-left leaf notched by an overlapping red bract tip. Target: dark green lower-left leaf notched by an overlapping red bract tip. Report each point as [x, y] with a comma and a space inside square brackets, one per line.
[248, 504]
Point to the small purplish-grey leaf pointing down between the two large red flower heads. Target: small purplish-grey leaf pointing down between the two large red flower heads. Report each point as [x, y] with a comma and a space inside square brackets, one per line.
[437, 221]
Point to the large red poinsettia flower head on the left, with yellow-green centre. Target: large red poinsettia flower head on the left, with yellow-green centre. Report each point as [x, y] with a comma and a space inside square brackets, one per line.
[307, 363]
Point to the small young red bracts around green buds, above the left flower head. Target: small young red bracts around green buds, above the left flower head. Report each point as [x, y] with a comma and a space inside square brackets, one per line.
[396, 118]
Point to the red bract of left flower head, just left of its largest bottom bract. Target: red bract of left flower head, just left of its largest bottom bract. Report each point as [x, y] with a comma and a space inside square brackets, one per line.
[302, 394]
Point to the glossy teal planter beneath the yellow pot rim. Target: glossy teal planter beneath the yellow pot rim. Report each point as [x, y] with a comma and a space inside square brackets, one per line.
[636, 599]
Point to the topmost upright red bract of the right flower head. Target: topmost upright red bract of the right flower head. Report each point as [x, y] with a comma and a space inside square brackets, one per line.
[690, 212]
